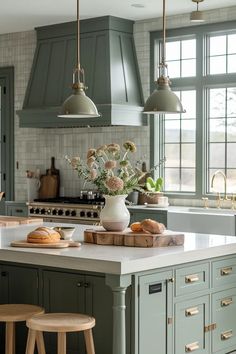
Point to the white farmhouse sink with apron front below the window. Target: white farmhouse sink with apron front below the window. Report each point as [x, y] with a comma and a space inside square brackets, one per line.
[208, 221]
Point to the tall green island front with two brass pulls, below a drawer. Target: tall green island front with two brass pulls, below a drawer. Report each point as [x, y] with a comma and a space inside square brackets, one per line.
[191, 317]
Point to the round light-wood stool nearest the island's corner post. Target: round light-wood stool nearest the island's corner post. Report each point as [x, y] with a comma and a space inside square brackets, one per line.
[60, 323]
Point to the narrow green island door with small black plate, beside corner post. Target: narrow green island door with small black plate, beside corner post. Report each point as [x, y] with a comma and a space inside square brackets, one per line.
[154, 311]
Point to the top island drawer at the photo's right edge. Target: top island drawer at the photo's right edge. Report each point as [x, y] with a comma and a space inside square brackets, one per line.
[224, 272]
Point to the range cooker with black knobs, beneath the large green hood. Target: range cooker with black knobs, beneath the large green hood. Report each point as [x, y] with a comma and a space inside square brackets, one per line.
[84, 209]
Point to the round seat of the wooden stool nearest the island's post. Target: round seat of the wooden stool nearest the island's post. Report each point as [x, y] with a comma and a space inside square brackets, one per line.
[61, 322]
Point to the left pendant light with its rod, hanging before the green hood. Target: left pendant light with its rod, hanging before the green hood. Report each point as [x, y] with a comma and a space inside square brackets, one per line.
[78, 105]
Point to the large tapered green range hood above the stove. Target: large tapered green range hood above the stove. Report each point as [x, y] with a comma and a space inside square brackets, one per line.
[109, 60]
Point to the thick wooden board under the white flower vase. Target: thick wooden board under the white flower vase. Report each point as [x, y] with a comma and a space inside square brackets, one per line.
[133, 239]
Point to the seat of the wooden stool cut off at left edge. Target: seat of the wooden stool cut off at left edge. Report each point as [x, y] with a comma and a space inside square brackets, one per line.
[18, 312]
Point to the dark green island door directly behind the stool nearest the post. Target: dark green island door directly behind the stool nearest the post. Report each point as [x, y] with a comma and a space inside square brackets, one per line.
[64, 292]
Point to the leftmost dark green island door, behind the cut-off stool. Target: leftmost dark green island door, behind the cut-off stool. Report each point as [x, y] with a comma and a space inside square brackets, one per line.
[19, 285]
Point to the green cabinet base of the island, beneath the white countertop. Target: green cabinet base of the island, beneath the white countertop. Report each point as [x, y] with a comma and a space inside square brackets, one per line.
[173, 310]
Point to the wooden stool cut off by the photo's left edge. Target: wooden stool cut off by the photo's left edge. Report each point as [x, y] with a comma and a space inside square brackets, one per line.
[11, 313]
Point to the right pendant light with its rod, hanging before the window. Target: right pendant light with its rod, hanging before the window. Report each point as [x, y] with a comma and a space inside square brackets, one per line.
[163, 100]
